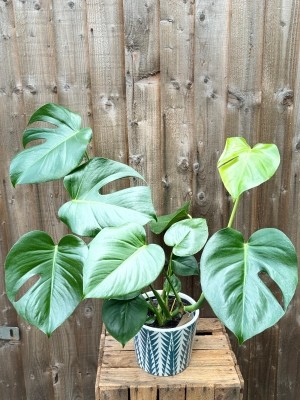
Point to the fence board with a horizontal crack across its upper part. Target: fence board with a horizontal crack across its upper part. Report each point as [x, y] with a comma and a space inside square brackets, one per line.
[142, 65]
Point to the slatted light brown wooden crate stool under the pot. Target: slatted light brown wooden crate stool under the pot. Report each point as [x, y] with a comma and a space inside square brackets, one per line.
[213, 373]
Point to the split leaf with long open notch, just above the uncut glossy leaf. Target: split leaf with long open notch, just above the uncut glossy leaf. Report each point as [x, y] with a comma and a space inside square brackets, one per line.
[89, 211]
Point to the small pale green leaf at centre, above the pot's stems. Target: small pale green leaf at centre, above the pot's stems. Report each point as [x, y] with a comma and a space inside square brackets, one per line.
[187, 237]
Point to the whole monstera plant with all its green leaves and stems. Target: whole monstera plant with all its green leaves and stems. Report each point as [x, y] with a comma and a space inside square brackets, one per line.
[45, 280]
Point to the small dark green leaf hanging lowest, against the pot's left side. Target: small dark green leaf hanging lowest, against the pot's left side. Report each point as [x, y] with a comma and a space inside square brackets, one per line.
[124, 318]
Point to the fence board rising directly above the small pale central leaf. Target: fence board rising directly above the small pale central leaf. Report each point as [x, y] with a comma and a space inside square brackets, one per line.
[177, 100]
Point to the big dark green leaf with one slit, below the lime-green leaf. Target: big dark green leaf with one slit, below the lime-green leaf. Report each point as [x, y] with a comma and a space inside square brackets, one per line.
[230, 280]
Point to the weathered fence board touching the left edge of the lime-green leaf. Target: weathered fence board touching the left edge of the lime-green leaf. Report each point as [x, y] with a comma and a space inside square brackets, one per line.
[211, 42]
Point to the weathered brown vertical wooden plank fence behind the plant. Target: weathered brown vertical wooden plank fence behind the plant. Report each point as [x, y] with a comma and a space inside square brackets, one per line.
[162, 83]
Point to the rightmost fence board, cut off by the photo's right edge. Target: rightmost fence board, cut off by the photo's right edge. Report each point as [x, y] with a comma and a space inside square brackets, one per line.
[288, 383]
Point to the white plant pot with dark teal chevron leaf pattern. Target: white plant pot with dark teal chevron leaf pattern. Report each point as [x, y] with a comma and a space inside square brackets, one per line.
[166, 352]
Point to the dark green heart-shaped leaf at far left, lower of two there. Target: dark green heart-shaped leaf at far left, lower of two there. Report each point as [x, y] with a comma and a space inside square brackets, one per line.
[52, 275]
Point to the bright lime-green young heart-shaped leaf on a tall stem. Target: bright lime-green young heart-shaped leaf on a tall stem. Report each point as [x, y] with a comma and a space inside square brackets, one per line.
[242, 167]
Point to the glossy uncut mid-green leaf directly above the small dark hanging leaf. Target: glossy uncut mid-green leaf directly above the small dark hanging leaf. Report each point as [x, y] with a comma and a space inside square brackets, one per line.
[120, 262]
